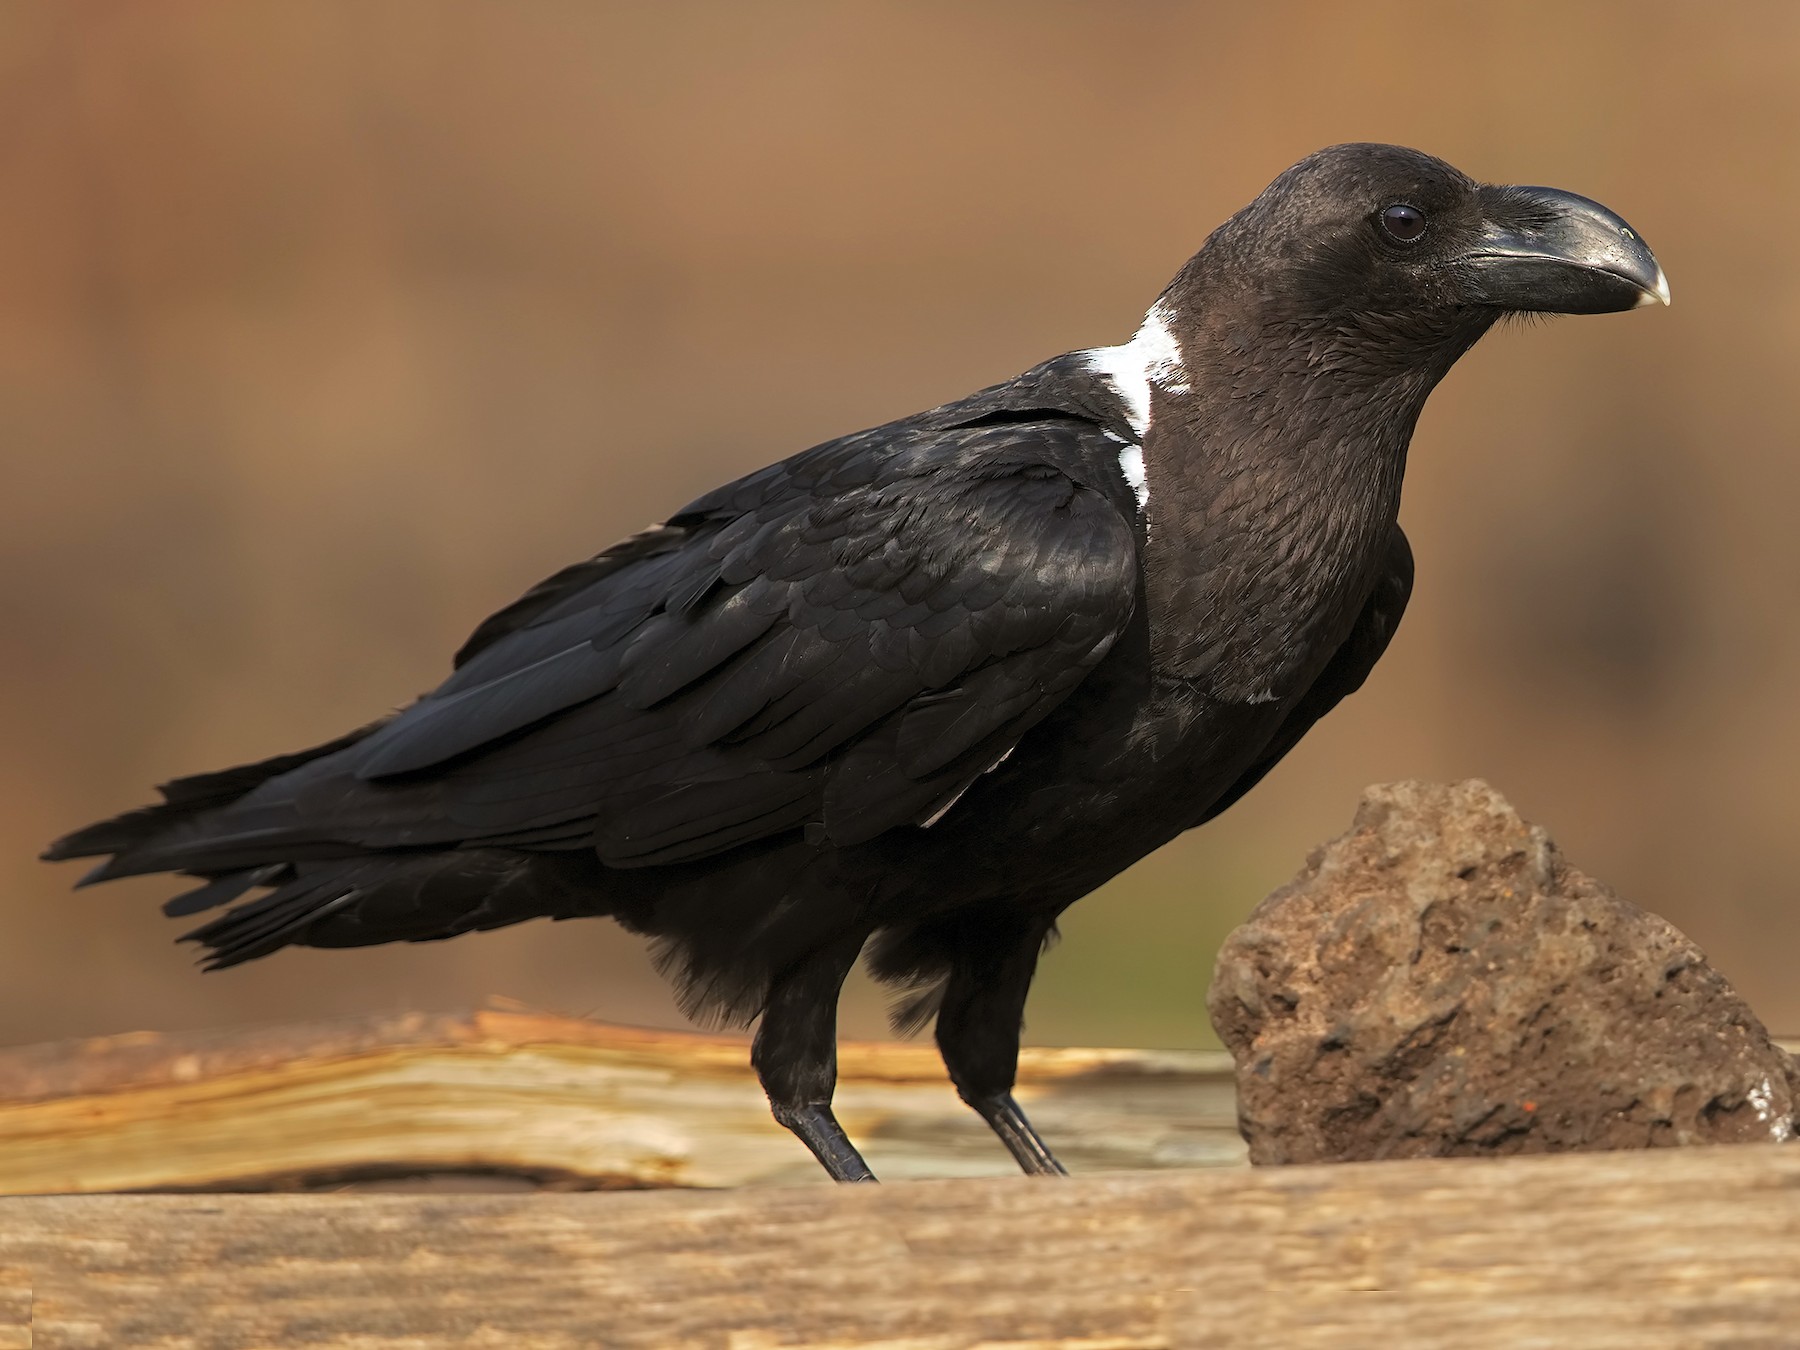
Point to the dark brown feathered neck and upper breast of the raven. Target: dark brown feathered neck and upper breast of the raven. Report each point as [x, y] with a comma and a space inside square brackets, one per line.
[1273, 469]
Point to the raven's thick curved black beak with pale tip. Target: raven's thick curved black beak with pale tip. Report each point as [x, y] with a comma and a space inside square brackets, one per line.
[1556, 253]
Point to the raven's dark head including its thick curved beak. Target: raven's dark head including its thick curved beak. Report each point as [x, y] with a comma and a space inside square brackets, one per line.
[1380, 233]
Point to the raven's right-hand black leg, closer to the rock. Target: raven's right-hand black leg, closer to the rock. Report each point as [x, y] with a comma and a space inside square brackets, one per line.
[978, 1029]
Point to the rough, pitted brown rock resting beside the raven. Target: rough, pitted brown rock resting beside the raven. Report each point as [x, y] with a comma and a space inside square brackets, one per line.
[1441, 982]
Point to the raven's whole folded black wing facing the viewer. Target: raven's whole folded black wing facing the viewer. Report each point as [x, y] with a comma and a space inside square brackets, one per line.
[840, 645]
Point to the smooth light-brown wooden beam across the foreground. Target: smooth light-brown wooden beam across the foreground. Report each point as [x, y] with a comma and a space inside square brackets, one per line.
[1680, 1248]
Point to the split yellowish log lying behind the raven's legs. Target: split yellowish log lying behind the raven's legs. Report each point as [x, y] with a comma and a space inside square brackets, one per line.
[550, 1101]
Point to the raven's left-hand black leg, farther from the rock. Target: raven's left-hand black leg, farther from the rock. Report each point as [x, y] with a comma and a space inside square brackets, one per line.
[796, 1057]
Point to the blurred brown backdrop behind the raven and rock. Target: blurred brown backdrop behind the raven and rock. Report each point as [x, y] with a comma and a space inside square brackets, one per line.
[327, 328]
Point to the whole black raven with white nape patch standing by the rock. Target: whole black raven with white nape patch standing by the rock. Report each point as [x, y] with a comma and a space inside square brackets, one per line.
[917, 690]
